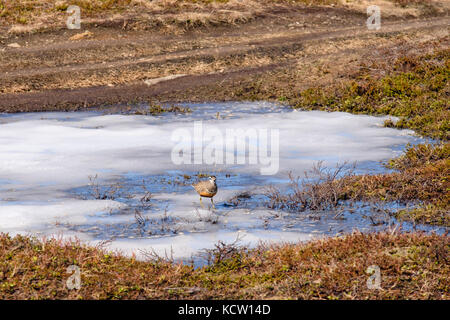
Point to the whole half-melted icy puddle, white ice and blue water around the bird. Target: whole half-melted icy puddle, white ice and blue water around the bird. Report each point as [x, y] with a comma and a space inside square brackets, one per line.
[117, 177]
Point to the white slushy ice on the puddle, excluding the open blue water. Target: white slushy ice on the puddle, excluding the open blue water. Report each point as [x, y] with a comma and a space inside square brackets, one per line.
[45, 156]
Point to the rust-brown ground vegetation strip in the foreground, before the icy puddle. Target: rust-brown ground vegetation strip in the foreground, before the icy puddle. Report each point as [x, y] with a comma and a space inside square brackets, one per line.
[413, 266]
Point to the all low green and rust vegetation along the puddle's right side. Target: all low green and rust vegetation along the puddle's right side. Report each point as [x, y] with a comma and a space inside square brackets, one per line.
[413, 88]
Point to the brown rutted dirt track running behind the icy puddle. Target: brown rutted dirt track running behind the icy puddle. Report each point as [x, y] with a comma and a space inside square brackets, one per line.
[50, 72]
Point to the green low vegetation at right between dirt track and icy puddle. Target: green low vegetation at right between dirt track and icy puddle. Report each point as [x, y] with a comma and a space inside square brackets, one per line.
[418, 96]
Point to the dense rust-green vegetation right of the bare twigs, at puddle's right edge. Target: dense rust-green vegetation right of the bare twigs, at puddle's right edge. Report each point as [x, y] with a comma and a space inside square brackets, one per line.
[422, 178]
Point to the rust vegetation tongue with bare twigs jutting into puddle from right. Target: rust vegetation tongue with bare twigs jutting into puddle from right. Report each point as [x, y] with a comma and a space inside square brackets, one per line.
[421, 182]
